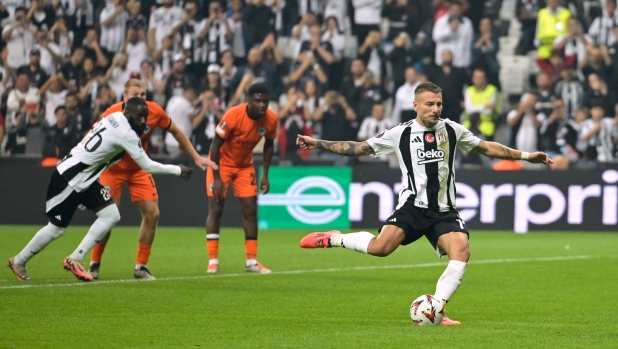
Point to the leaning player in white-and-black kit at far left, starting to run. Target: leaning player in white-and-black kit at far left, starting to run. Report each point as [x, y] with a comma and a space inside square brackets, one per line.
[75, 183]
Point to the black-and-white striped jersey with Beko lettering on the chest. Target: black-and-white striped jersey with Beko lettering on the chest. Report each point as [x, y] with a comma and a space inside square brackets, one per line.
[426, 159]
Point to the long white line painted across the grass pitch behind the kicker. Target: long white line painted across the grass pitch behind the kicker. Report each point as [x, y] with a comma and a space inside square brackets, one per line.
[306, 271]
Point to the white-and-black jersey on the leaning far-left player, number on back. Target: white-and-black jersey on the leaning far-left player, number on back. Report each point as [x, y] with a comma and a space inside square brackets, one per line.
[103, 146]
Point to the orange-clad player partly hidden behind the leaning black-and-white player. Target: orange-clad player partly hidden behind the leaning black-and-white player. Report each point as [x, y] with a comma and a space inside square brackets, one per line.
[141, 185]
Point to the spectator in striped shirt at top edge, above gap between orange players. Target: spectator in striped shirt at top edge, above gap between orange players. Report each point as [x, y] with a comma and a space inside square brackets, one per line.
[216, 33]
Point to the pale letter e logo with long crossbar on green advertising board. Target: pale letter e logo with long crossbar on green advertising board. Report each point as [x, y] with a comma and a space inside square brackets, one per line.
[295, 199]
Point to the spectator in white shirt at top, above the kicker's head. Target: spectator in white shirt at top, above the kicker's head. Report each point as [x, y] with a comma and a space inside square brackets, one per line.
[454, 31]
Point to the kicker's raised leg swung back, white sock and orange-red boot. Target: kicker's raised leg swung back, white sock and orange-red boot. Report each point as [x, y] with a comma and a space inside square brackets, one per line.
[381, 246]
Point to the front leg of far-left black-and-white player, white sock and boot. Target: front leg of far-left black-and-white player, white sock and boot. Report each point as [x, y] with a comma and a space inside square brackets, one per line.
[108, 217]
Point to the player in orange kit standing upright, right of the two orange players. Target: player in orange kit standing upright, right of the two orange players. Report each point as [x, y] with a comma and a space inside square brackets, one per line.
[238, 132]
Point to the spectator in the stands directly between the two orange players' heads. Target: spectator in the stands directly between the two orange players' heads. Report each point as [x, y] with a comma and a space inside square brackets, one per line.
[205, 122]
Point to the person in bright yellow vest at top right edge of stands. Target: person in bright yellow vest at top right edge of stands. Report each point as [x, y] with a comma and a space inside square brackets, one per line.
[552, 21]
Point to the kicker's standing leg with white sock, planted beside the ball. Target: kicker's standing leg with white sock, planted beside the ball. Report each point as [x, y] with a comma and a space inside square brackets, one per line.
[455, 244]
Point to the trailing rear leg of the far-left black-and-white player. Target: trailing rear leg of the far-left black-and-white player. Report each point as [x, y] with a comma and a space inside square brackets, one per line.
[43, 237]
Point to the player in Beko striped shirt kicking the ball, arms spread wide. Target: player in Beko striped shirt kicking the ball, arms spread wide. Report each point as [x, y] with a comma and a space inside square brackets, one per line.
[426, 150]
